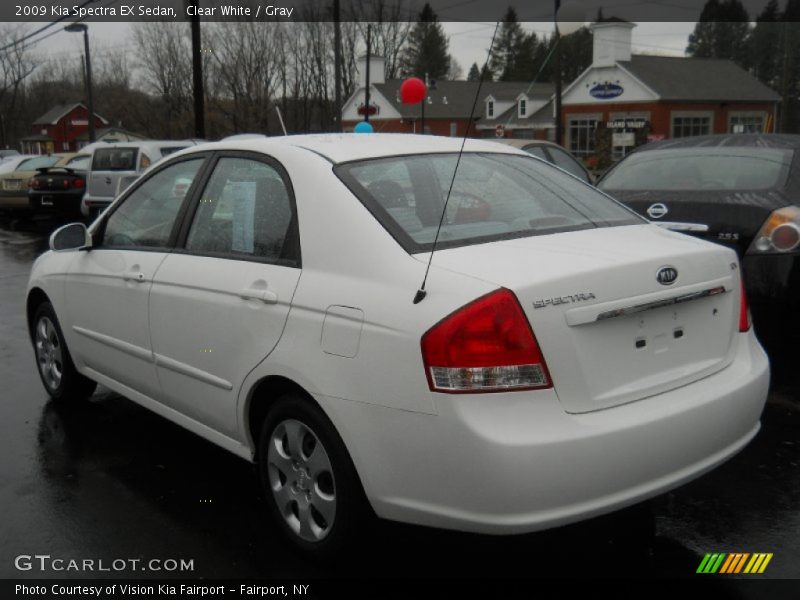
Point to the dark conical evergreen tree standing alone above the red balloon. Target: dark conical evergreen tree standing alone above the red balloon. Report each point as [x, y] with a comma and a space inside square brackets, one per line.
[426, 53]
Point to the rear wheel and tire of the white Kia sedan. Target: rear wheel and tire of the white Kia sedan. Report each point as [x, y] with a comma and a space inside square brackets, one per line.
[311, 486]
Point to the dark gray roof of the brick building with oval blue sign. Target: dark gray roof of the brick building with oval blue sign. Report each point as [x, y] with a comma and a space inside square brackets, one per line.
[699, 79]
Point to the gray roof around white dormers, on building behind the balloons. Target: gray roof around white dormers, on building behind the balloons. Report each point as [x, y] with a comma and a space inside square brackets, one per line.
[454, 99]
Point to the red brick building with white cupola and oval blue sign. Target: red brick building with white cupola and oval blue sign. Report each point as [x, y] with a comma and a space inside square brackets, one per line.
[623, 100]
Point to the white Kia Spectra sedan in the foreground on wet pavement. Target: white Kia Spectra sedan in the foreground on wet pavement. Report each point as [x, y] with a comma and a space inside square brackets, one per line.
[568, 358]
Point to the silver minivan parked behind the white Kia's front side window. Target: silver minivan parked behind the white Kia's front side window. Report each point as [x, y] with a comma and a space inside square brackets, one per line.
[125, 161]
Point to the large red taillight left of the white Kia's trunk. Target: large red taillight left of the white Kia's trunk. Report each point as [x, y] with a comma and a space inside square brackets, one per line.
[486, 346]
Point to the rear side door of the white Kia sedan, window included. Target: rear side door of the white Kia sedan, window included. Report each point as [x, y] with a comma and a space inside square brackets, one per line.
[220, 301]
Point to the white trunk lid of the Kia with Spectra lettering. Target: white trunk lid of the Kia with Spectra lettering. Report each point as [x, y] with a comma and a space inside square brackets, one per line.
[609, 331]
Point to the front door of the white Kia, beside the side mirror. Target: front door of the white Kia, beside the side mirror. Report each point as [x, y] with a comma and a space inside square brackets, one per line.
[108, 287]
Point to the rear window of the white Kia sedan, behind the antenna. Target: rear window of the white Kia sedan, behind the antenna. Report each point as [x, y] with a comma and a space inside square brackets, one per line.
[495, 196]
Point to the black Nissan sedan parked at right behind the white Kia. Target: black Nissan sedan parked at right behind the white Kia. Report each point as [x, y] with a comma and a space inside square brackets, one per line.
[740, 190]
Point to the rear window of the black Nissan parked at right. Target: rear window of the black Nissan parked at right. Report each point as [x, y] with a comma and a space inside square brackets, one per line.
[701, 169]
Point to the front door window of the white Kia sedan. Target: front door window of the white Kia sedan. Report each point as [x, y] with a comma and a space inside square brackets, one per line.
[146, 217]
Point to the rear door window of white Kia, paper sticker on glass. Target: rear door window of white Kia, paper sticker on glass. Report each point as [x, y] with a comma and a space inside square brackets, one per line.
[245, 211]
